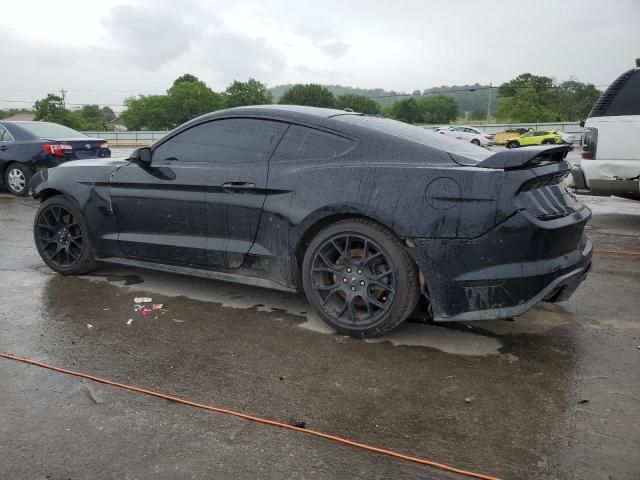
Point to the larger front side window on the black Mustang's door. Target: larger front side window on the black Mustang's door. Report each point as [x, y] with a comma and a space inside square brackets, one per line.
[223, 141]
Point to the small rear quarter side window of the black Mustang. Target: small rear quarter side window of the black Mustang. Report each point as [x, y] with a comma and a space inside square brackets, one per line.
[302, 143]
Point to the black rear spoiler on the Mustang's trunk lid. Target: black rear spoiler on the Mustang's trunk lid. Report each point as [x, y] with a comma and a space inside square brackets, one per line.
[521, 158]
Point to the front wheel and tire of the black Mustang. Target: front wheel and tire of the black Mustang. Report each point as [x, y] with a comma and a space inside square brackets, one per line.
[61, 235]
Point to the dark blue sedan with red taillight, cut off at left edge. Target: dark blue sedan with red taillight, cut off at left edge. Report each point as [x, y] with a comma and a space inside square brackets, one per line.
[26, 147]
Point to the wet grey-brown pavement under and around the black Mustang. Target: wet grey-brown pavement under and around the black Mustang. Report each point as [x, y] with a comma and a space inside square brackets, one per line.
[553, 394]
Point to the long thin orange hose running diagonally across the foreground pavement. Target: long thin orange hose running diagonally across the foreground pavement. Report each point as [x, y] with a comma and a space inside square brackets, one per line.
[252, 418]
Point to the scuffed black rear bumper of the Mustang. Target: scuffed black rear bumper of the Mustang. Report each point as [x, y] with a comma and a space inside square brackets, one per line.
[507, 271]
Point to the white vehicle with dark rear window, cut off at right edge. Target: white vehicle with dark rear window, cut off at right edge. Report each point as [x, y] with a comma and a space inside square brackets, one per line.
[610, 150]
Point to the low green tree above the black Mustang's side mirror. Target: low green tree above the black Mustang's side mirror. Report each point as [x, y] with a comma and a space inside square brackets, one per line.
[147, 112]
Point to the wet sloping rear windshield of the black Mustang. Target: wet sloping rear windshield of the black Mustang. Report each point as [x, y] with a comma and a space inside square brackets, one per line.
[418, 135]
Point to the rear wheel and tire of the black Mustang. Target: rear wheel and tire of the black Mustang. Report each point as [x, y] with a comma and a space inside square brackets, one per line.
[359, 278]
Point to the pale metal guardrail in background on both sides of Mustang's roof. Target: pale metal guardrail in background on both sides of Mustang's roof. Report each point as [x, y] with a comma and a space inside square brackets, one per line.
[146, 137]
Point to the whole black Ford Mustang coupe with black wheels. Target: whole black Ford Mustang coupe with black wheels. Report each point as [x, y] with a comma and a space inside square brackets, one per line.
[364, 214]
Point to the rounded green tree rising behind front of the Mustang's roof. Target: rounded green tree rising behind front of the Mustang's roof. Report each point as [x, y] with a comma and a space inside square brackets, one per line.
[190, 99]
